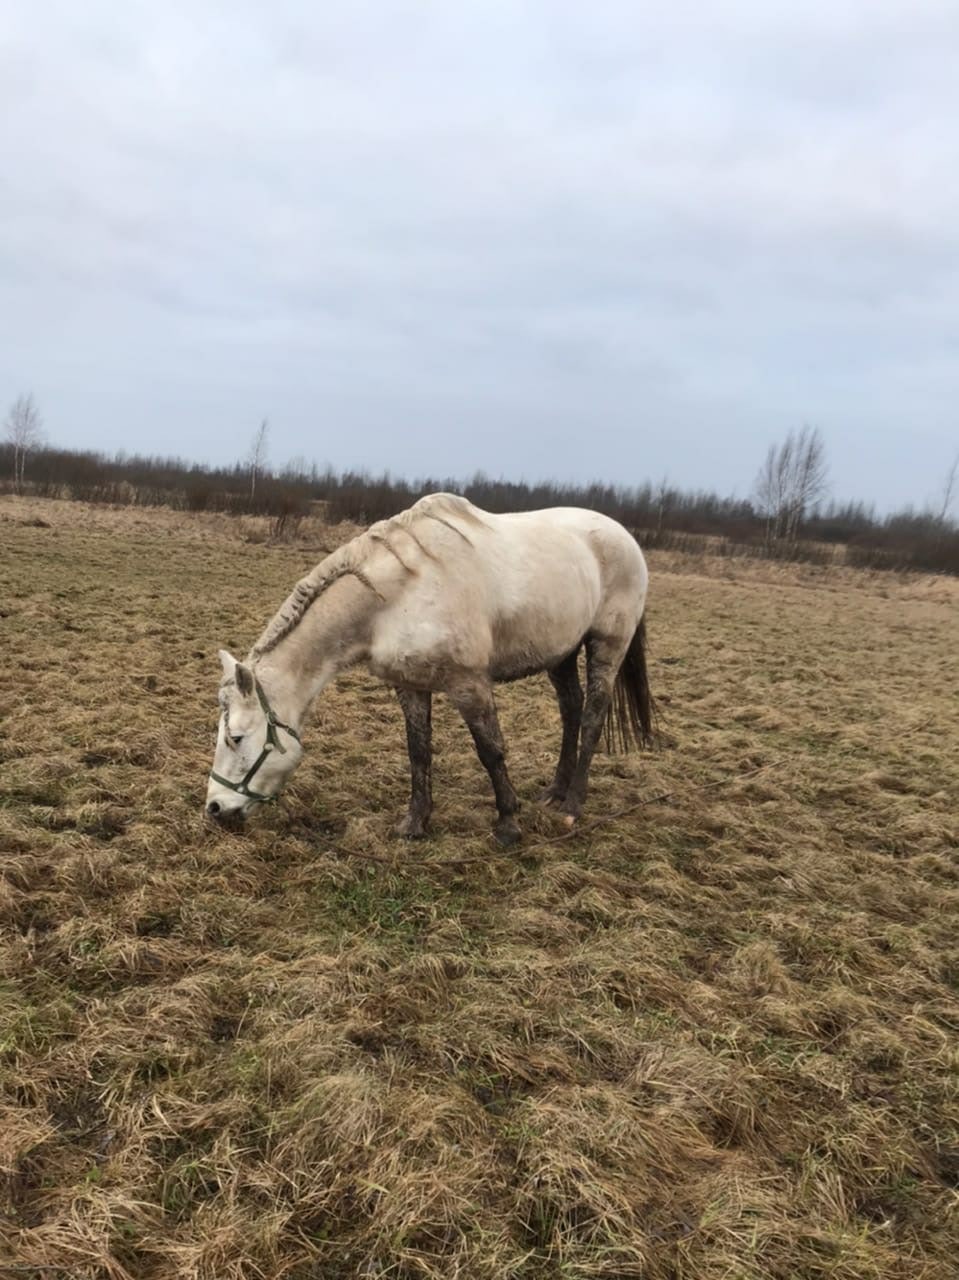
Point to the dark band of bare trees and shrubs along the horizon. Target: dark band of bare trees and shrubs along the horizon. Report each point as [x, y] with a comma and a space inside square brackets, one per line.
[661, 515]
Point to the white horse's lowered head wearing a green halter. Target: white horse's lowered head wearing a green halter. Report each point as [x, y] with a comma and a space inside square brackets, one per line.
[255, 752]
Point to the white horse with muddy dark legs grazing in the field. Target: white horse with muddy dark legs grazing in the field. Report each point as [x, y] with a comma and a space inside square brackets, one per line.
[447, 598]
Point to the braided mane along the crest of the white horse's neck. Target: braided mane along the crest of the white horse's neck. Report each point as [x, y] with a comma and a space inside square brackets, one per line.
[353, 556]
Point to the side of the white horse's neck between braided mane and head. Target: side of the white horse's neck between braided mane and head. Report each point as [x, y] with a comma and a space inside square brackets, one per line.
[332, 637]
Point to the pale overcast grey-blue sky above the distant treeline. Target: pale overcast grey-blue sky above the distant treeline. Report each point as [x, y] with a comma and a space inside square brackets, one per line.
[540, 239]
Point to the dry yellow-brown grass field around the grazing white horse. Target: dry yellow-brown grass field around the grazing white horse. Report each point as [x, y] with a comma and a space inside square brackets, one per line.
[713, 1039]
